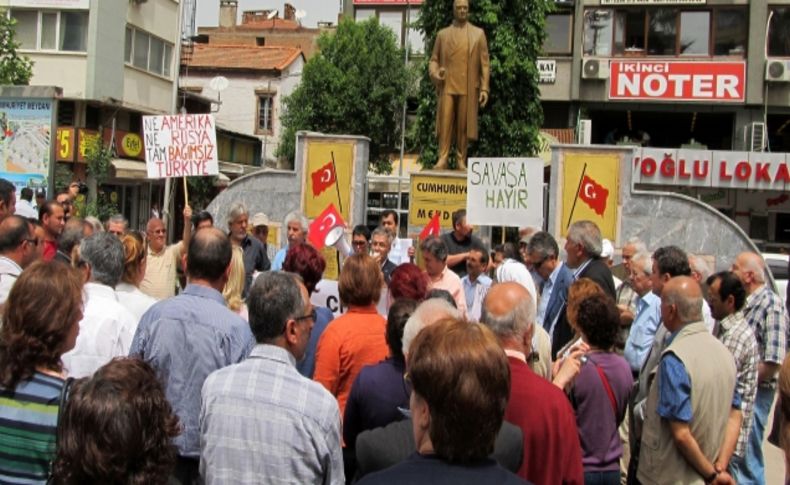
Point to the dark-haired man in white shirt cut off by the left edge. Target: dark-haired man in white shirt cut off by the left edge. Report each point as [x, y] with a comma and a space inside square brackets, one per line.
[18, 248]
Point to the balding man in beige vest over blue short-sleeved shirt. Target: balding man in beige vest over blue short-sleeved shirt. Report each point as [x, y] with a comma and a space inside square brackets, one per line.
[692, 398]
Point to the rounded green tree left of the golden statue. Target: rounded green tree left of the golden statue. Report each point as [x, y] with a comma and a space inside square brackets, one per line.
[355, 85]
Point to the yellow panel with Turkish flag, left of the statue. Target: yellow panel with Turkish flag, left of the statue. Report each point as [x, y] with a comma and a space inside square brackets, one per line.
[319, 190]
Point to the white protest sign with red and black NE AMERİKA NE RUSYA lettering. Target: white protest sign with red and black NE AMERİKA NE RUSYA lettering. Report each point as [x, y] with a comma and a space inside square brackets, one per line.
[180, 145]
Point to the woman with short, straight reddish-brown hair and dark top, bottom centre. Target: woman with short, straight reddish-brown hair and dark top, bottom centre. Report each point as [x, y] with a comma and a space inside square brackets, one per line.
[460, 385]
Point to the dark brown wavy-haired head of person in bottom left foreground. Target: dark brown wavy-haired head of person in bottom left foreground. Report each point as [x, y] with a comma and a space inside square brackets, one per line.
[117, 428]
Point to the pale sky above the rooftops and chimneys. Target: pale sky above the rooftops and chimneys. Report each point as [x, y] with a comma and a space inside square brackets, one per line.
[316, 10]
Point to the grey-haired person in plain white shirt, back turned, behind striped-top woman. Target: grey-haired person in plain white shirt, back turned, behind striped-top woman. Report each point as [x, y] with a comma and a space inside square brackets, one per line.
[107, 327]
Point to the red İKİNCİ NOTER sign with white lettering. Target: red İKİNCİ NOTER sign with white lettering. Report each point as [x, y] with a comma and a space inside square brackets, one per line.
[677, 81]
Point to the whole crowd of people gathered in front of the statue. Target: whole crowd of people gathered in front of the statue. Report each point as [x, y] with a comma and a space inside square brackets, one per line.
[522, 363]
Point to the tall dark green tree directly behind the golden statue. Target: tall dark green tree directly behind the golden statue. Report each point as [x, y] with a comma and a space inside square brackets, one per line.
[509, 125]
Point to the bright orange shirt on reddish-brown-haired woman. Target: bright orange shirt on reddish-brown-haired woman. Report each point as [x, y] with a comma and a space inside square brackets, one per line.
[350, 342]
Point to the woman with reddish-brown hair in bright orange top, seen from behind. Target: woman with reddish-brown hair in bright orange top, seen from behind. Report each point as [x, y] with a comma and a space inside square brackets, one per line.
[357, 338]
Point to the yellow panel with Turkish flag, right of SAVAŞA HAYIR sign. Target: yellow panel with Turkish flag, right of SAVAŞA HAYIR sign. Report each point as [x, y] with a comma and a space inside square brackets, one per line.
[591, 190]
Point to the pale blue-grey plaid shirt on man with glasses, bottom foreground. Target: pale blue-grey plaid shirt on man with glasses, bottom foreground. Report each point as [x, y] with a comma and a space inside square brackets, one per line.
[262, 422]
